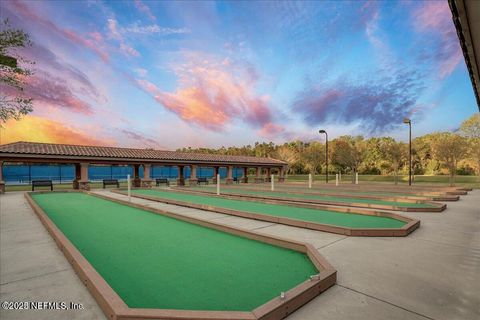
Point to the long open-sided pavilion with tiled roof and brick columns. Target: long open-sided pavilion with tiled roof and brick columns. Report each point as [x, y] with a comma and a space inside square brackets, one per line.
[83, 156]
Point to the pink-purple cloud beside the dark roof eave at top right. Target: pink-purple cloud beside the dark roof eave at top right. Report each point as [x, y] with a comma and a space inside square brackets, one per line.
[435, 17]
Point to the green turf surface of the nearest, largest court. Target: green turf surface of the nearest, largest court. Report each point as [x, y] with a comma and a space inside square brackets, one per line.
[153, 261]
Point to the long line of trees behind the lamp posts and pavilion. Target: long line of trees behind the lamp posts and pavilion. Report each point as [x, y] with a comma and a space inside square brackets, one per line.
[449, 153]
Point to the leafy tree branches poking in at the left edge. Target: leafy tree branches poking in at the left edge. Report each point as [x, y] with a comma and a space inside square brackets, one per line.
[13, 103]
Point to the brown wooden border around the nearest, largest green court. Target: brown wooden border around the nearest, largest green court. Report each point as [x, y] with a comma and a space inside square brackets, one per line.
[114, 307]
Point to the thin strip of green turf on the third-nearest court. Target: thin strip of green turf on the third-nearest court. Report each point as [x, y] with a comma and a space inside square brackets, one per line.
[320, 197]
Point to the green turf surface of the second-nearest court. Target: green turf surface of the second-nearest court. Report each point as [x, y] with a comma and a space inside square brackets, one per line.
[305, 214]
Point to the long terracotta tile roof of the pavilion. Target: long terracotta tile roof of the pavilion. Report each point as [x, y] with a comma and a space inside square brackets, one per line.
[65, 150]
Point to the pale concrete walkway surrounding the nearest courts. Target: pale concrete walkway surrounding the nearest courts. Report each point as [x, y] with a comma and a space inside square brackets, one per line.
[432, 274]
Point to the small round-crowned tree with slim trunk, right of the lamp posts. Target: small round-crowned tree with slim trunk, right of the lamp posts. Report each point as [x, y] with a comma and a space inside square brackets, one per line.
[449, 149]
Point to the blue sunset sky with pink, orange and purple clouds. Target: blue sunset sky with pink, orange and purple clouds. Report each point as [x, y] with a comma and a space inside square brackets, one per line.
[175, 74]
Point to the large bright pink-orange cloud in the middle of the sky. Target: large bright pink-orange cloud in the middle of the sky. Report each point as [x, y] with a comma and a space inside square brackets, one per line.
[212, 94]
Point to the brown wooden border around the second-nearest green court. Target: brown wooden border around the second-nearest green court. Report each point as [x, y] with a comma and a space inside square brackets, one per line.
[409, 227]
